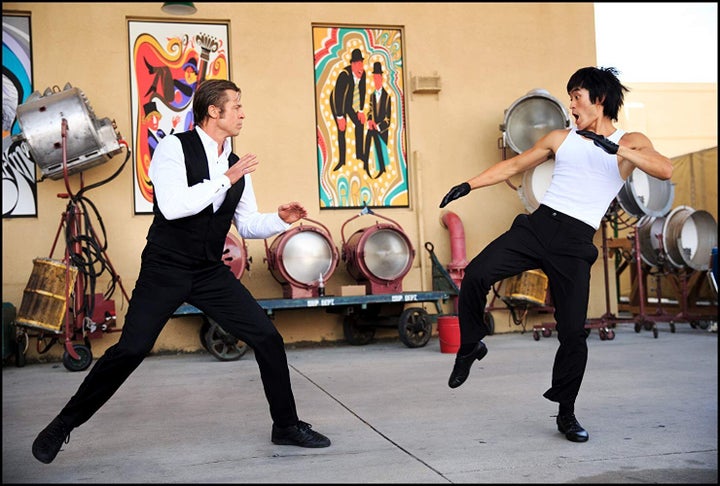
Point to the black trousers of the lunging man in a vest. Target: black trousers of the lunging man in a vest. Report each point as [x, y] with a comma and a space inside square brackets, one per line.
[167, 280]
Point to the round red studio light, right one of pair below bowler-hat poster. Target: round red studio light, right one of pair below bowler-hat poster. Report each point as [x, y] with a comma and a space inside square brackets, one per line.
[378, 256]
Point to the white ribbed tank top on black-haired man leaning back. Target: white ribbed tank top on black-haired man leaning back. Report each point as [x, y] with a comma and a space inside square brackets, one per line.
[585, 180]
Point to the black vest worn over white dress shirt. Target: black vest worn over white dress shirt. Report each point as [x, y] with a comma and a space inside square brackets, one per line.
[201, 236]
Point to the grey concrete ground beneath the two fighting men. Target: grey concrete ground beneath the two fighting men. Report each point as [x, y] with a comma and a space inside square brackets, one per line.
[650, 406]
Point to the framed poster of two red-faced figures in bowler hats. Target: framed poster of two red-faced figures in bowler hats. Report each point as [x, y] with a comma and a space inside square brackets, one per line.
[360, 113]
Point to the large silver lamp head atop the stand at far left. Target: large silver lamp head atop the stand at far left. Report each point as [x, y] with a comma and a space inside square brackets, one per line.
[90, 141]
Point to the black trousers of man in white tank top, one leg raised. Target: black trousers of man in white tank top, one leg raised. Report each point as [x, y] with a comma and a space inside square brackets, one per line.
[563, 248]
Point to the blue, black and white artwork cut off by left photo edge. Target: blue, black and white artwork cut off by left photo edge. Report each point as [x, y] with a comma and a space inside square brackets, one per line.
[19, 183]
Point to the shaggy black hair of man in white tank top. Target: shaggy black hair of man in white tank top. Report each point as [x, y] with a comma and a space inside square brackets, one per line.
[603, 85]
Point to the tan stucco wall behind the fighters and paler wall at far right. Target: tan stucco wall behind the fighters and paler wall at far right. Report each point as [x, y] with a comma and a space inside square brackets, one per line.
[487, 55]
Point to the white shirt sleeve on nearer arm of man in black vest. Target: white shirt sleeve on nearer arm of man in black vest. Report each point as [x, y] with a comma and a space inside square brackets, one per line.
[168, 175]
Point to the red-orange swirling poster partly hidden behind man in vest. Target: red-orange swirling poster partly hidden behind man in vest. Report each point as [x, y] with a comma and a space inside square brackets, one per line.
[167, 62]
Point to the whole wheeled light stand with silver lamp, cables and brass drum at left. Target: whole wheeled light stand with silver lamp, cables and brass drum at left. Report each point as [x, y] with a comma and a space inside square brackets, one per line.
[91, 142]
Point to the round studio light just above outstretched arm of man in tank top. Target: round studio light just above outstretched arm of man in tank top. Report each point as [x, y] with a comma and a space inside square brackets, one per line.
[530, 118]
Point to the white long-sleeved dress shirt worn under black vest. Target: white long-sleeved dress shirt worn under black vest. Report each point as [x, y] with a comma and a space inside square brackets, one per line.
[178, 200]
